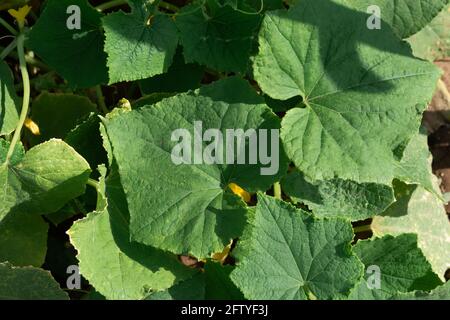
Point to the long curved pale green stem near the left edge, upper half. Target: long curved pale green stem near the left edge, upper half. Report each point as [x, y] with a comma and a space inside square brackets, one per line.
[26, 96]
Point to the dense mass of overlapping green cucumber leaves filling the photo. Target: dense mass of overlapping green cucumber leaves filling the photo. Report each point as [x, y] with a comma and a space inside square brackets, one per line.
[348, 101]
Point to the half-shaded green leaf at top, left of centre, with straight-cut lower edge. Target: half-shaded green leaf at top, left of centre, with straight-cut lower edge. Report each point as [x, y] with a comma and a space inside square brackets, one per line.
[140, 44]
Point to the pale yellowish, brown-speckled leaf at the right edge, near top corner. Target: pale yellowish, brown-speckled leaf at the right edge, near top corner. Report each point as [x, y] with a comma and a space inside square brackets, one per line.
[433, 42]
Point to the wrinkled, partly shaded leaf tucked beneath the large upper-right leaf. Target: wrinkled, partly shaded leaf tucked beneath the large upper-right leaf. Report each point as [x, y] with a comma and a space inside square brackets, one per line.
[337, 197]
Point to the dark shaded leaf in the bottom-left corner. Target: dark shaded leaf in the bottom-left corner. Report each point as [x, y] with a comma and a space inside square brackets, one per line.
[28, 283]
